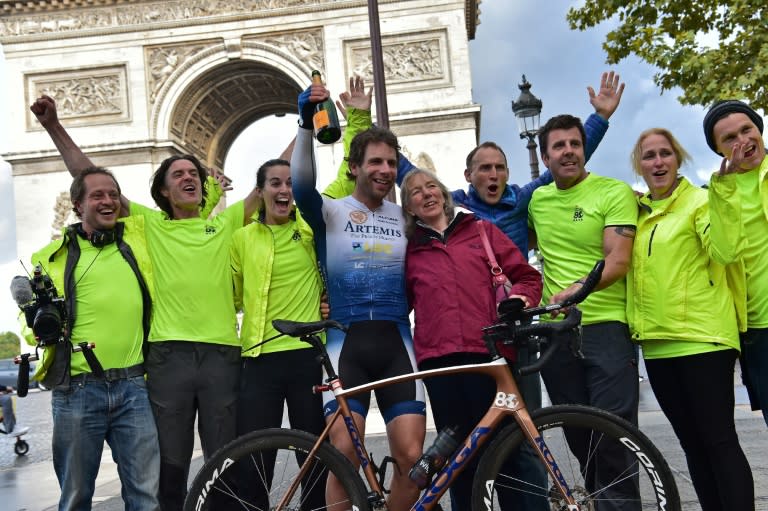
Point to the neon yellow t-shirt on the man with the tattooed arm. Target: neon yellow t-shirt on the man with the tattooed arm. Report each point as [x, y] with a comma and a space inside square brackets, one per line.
[569, 226]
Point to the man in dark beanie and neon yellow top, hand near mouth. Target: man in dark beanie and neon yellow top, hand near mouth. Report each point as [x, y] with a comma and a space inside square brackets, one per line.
[734, 130]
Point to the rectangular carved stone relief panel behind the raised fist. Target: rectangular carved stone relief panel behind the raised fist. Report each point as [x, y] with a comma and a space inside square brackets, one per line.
[83, 96]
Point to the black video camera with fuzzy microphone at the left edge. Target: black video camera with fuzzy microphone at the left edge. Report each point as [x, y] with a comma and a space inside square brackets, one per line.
[44, 310]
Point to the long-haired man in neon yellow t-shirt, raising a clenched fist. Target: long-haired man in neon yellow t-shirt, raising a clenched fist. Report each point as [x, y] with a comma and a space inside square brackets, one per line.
[193, 362]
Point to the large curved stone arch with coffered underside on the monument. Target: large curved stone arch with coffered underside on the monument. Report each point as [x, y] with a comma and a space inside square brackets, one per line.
[211, 97]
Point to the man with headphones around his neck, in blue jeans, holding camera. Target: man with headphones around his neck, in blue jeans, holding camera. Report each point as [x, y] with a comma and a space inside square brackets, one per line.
[95, 266]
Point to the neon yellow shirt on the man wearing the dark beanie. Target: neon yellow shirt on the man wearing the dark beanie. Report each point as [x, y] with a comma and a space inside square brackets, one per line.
[756, 252]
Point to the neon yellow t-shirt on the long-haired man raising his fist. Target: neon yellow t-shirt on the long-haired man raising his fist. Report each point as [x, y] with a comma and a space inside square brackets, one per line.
[193, 298]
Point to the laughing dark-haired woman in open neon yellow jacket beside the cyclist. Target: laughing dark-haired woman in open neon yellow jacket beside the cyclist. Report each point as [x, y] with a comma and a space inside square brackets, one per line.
[275, 276]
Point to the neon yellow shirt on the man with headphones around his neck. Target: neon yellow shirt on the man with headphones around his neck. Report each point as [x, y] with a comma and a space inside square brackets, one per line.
[103, 281]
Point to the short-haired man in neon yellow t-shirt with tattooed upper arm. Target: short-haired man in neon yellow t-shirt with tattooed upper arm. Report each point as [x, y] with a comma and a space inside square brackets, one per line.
[577, 220]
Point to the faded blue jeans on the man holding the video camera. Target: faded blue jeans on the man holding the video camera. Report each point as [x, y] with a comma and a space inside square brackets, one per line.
[90, 412]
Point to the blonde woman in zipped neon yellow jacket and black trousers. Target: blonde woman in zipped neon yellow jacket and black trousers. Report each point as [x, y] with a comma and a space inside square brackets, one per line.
[682, 311]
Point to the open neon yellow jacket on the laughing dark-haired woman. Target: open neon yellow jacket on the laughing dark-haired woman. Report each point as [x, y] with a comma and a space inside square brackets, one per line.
[252, 257]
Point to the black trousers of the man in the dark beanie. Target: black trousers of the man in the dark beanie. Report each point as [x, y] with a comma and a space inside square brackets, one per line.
[754, 364]
